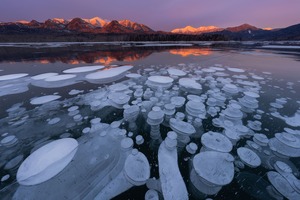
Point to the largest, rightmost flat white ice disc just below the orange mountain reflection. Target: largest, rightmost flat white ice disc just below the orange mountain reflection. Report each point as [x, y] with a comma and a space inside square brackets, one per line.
[109, 75]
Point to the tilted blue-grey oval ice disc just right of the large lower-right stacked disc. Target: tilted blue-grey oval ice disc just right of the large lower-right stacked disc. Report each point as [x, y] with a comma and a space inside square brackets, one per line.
[249, 157]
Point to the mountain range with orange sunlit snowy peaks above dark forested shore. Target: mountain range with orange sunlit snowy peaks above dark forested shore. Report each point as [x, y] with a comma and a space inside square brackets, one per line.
[96, 26]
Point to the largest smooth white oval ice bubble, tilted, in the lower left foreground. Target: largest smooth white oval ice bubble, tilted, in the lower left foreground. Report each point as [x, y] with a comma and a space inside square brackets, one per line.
[47, 161]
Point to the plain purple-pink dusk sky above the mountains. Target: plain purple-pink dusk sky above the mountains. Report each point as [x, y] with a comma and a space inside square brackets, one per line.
[160, 14]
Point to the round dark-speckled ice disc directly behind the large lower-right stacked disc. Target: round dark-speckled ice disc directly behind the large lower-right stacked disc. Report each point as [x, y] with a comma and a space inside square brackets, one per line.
[216, 142]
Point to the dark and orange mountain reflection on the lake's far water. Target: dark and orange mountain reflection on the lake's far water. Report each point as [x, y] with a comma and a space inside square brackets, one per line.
[90, 54]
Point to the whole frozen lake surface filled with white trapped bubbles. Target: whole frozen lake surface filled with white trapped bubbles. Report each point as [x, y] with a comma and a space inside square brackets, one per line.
[248, 95]
